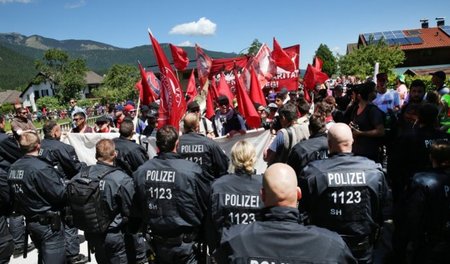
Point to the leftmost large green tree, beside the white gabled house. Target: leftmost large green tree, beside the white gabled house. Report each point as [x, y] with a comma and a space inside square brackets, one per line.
[68, 75]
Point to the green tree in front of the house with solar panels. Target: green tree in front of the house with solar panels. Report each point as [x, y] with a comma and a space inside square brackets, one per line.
[361, 62]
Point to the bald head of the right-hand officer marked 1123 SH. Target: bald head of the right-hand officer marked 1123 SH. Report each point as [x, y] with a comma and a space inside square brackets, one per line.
[340, 138]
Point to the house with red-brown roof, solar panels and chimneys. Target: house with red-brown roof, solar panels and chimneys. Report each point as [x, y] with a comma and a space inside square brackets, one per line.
[425, 48]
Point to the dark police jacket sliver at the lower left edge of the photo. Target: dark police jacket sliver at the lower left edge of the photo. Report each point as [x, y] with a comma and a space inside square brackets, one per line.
[5, 207]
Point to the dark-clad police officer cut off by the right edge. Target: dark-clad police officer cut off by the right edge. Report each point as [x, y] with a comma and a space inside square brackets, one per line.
[425, 230]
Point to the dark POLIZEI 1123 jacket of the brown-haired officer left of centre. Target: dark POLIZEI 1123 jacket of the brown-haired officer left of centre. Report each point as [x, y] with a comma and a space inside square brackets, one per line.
[173, 193]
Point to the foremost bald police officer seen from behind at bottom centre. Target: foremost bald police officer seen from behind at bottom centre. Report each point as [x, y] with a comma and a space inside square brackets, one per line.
[279, 237]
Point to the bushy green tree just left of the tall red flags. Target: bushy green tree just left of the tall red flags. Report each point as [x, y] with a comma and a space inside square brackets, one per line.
[119, 83]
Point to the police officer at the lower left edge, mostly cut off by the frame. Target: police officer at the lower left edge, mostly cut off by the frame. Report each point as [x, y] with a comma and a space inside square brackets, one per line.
[6, 240]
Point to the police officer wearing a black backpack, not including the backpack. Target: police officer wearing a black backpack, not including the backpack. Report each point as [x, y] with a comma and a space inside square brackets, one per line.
[117, 190]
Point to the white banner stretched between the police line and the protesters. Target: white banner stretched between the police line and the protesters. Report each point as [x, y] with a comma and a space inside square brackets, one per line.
[84, 144]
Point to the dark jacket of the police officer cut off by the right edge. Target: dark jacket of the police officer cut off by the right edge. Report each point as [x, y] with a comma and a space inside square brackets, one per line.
[427, 208]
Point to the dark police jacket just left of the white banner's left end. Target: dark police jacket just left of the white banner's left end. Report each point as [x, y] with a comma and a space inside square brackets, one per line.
[62, 156]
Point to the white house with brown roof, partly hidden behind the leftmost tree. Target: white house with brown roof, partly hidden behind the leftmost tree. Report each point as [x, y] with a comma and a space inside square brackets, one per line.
[48, 88]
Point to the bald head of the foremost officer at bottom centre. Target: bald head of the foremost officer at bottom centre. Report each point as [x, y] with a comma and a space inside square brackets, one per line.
[280, 186]
